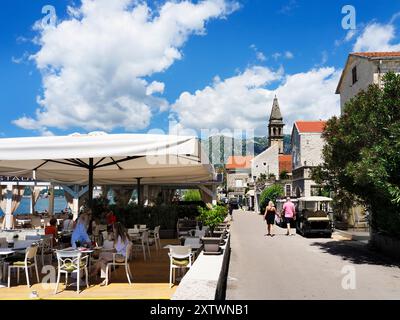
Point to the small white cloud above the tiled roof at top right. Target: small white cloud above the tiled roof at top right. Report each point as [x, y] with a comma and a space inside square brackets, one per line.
[377, 37]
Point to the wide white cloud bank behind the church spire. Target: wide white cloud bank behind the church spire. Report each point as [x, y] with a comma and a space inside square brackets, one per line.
[244, 101]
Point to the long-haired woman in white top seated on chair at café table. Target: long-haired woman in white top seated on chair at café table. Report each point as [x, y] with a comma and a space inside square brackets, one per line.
[121, 241]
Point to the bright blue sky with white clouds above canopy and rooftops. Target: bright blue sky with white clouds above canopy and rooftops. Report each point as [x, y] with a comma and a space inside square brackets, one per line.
[256, 48]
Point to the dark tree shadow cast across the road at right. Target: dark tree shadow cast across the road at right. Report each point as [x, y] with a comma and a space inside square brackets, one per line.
[357, 253]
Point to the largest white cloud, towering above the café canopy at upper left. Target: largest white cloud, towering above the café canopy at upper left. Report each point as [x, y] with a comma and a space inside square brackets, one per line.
[94, 63]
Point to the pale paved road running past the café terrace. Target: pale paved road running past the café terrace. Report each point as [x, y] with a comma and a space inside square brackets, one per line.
[293, 267]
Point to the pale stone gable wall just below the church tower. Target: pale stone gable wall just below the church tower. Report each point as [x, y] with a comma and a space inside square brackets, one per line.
[266, 162]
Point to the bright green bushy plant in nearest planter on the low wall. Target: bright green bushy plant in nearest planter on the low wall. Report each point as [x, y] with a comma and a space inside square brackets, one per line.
[212, 216]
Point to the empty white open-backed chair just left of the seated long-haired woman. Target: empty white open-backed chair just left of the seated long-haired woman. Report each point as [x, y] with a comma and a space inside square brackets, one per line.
[70, 262]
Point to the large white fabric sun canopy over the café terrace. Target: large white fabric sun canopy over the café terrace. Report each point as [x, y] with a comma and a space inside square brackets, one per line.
[112, 158]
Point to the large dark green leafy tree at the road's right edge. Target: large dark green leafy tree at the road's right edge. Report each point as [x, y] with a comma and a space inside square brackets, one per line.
[362, 153]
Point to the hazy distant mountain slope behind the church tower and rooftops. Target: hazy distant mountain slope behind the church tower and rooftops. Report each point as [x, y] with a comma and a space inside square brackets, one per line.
[219, 148]
